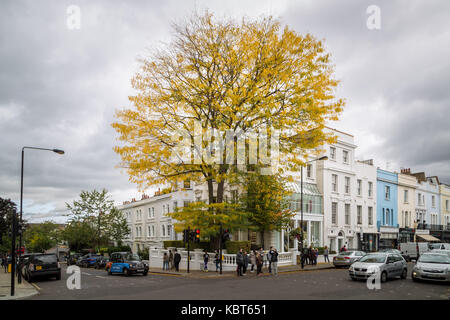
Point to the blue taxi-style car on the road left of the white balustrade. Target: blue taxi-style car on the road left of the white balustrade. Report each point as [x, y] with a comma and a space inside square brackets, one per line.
[127, 263]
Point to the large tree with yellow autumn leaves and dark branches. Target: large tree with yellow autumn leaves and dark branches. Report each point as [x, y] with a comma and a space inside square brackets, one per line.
[225, 75]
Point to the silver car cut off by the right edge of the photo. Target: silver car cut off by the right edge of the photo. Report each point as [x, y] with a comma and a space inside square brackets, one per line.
[434, 266]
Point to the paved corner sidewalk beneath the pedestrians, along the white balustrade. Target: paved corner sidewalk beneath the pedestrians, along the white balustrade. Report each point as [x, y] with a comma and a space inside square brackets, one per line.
[227, 274]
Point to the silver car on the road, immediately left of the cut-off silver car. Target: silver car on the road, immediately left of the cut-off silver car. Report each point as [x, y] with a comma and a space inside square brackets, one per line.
[389, 265]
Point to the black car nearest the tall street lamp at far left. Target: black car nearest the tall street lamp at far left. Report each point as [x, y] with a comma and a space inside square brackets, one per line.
[41, 264]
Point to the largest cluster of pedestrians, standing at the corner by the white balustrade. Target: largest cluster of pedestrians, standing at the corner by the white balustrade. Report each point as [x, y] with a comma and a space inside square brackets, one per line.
[256, 258]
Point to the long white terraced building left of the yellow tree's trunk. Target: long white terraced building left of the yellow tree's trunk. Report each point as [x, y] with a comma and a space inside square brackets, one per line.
[148, 220]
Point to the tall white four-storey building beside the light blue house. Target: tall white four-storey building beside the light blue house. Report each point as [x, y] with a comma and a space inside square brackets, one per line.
[349, 195]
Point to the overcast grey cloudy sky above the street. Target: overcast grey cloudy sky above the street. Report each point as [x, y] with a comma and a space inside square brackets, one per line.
[60, 87]
